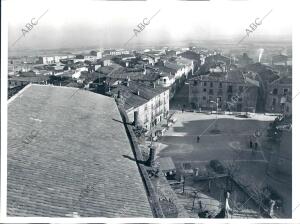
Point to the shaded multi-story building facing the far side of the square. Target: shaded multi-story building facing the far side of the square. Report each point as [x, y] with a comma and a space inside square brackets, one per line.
[232, 91]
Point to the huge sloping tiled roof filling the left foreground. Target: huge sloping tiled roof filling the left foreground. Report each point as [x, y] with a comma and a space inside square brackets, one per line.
[65, 155]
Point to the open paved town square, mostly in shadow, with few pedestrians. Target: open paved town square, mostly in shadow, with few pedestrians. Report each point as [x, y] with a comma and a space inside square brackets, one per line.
[232, 143]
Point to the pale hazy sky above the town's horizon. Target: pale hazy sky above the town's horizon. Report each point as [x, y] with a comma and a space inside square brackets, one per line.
[105, 24]
